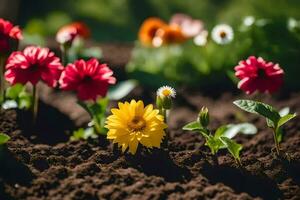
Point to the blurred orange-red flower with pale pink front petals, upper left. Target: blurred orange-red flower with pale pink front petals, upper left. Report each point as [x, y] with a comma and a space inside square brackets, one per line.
[69, 32]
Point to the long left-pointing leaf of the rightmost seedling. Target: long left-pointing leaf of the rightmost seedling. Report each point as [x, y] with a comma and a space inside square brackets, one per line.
[259, 108]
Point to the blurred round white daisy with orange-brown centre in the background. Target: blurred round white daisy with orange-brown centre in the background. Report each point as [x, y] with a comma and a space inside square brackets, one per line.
[222, 34]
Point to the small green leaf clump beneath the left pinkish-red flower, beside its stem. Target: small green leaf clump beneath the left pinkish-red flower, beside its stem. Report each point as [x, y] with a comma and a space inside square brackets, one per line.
[16, 96]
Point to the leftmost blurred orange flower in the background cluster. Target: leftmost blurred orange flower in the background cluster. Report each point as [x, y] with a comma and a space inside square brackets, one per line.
[149, 29]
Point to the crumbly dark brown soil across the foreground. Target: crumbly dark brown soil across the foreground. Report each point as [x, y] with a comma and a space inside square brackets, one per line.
[47, 166]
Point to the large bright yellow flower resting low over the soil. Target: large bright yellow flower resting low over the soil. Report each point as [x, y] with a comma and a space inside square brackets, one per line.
[132, 123]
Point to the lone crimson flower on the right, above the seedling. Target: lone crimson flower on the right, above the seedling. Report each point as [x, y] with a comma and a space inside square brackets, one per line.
[257, 74]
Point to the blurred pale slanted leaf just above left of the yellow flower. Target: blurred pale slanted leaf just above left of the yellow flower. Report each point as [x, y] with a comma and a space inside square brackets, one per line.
[121, 90]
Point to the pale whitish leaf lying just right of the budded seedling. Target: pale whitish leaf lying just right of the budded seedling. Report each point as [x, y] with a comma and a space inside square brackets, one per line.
[244, 128]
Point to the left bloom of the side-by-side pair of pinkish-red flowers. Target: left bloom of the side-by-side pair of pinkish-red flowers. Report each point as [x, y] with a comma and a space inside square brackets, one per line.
[33, 64]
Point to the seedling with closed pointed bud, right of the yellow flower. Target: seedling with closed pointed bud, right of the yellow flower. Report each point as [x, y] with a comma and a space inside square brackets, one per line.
[222, 138]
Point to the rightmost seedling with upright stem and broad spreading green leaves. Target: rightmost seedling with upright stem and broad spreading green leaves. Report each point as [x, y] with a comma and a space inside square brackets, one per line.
[275, 120]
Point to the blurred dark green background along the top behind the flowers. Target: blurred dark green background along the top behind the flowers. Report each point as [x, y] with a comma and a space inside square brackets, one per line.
[119, 20]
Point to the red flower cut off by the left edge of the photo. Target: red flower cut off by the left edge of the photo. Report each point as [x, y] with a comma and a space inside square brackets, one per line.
[8, 33]
